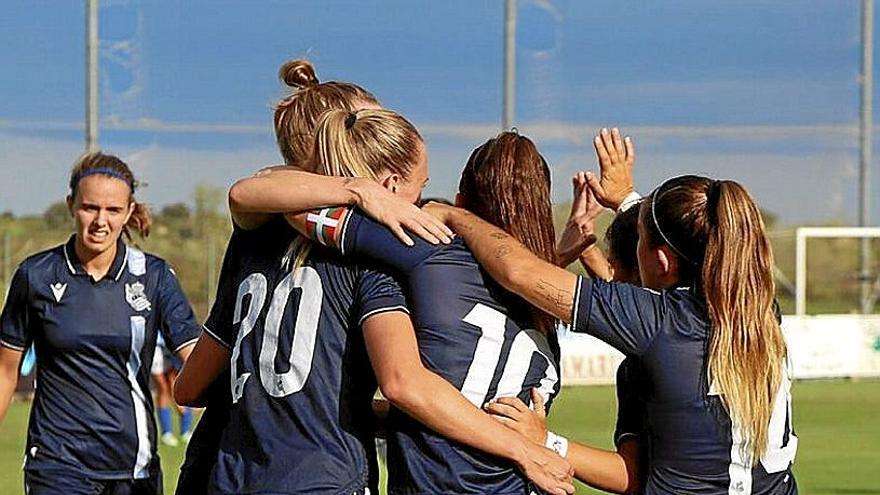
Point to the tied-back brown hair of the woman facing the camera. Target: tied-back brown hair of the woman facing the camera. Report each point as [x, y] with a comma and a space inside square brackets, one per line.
[97, 162]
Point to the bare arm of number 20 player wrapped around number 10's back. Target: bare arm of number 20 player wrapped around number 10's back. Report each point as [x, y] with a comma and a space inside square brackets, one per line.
[394, 354]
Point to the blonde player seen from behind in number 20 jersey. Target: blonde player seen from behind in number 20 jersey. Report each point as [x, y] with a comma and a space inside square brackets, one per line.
[309, 428]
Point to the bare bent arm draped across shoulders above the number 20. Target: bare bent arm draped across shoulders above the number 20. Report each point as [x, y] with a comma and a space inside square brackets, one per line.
[290, 190]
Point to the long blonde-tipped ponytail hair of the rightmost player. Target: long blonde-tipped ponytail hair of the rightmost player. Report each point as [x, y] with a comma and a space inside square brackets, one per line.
[717, 231]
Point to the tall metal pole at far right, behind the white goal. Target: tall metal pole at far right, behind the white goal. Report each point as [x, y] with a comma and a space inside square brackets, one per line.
[867, 86]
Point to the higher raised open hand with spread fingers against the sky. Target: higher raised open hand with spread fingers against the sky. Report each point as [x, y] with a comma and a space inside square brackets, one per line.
[616, 158]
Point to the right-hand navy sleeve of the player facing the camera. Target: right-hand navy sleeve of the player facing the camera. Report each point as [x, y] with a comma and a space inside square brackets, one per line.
[177, 321]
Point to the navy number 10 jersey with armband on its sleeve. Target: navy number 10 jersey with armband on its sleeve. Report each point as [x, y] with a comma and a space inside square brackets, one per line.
[472, 333]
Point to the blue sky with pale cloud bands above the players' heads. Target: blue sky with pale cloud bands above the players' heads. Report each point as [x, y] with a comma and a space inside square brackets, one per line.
[760, 91]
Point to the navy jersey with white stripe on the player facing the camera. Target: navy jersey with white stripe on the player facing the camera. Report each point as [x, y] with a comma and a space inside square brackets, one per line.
[93, 411]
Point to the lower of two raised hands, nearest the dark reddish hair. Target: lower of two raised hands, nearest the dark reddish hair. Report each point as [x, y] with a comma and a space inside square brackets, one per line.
[579, 233]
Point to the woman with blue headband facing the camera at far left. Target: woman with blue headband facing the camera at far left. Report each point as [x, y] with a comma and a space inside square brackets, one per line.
[93, 308]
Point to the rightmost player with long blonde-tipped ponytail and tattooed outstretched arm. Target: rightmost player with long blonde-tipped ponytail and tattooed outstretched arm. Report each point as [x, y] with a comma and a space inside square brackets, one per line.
[705, 330]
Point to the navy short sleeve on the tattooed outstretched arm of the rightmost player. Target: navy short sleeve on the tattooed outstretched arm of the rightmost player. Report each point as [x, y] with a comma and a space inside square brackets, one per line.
[624, 316]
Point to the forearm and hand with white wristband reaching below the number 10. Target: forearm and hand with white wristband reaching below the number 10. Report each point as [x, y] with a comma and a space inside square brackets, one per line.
[615, 472]
